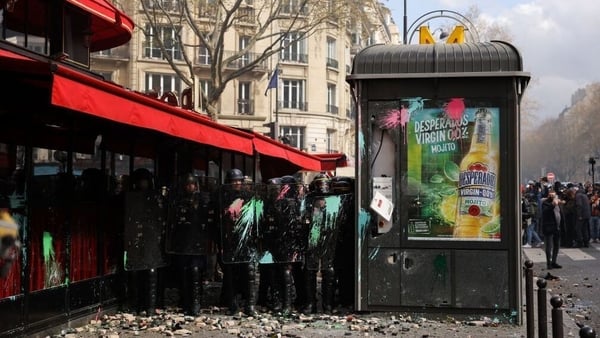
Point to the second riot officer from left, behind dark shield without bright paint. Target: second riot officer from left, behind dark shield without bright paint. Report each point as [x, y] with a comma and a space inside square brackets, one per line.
[190, 238]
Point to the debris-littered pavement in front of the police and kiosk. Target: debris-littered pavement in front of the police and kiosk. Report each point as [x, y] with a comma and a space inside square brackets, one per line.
[214, 322]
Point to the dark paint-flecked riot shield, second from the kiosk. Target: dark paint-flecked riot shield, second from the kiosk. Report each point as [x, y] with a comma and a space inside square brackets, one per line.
[284, 225]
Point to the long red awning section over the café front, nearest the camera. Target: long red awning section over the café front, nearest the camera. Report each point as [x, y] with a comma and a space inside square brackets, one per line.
[86, 94]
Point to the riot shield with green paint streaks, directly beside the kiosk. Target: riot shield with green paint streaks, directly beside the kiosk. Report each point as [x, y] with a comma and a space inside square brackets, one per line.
[327, 212]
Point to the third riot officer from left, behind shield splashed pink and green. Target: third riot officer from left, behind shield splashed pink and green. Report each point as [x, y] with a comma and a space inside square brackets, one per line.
[238, 244]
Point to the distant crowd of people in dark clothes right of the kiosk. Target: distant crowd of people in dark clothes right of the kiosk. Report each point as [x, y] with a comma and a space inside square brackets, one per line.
[559, 215]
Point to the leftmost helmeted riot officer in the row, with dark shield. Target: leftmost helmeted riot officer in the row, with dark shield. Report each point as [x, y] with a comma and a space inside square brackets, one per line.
[144, 242]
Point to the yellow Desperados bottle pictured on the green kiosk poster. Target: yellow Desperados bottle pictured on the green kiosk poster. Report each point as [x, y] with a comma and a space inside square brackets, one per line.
[477, 181]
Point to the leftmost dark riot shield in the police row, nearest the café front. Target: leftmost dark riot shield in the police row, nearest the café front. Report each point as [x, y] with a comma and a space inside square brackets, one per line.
[144, 233]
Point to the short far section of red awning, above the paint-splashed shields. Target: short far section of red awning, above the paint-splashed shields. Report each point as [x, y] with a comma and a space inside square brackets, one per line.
[267, 146]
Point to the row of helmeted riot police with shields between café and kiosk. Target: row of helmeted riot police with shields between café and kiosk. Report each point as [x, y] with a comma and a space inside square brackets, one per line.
[268, 243]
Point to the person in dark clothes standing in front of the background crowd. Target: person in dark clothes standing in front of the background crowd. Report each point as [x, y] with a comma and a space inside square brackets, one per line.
[552, 218]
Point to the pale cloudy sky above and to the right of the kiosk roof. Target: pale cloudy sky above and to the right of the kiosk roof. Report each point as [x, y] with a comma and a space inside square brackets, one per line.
[559, 41]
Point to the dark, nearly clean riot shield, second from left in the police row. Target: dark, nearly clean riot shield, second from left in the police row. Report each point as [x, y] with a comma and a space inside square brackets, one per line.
[191, 225]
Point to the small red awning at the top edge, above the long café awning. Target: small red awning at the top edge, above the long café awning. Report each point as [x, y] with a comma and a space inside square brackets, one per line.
[110, 26]
